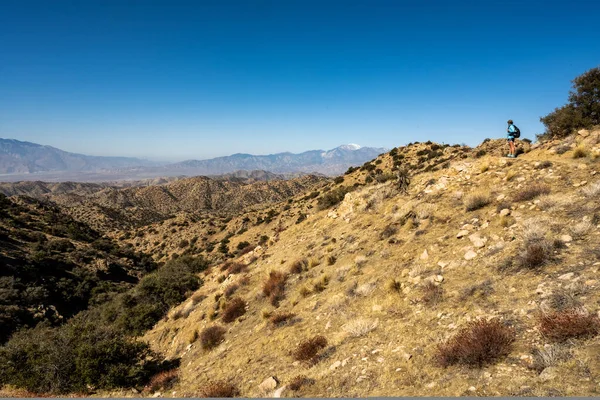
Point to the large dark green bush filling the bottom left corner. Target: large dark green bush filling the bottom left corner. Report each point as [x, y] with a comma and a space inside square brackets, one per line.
[73, 358]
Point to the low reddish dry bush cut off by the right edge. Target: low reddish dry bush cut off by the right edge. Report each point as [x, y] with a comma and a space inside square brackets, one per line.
[562, 325]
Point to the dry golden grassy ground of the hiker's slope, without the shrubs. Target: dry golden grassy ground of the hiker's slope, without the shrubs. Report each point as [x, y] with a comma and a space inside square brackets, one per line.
[397, 357]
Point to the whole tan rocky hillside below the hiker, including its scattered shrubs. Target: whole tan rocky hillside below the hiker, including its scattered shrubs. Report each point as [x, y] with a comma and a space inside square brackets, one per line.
[368, 296]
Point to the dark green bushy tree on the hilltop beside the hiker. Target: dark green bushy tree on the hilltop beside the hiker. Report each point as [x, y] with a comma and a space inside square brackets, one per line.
[582, 111]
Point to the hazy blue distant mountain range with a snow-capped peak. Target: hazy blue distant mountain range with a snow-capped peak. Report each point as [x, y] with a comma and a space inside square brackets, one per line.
[26, 161]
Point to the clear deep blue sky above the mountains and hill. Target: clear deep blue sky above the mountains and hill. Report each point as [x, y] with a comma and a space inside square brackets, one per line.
[198, 79]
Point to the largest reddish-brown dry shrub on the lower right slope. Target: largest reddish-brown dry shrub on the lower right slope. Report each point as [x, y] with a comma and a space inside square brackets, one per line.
[478, 343]
